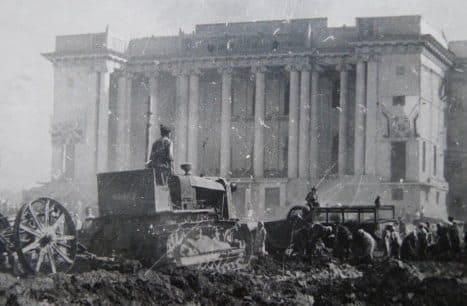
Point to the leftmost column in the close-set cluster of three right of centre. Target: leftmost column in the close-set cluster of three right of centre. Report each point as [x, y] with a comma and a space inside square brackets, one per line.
[292, 165]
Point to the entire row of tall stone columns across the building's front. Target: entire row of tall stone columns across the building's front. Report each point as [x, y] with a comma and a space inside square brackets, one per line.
[303, 137]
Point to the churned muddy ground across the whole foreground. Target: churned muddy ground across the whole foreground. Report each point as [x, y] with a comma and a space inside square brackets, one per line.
[264, 281]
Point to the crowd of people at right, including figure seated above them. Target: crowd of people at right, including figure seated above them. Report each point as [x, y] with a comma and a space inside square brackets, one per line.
[419, 241]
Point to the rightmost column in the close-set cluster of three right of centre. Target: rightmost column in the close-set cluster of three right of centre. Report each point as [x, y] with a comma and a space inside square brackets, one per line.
[314, 123]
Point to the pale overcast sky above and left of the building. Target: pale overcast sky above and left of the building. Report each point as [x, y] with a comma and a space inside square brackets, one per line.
[28, 28]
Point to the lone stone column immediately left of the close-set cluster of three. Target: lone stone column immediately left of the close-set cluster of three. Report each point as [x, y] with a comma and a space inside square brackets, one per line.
[258, 150]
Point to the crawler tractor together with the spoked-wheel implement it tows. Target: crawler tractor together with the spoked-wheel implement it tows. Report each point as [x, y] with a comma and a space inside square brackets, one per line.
[189, 221]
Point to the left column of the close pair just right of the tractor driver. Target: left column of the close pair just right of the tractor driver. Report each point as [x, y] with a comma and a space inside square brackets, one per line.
[180, 140]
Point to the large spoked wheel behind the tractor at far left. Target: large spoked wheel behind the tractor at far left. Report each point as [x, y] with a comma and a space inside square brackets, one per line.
[45, 237]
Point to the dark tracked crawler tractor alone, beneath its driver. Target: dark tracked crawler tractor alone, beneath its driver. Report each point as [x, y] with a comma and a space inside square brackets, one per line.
[187, 222]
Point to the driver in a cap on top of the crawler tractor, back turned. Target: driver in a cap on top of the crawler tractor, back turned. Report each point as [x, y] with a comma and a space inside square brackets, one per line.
[161, 158]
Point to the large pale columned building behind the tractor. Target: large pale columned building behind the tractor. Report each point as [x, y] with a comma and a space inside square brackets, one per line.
[276, 106]
